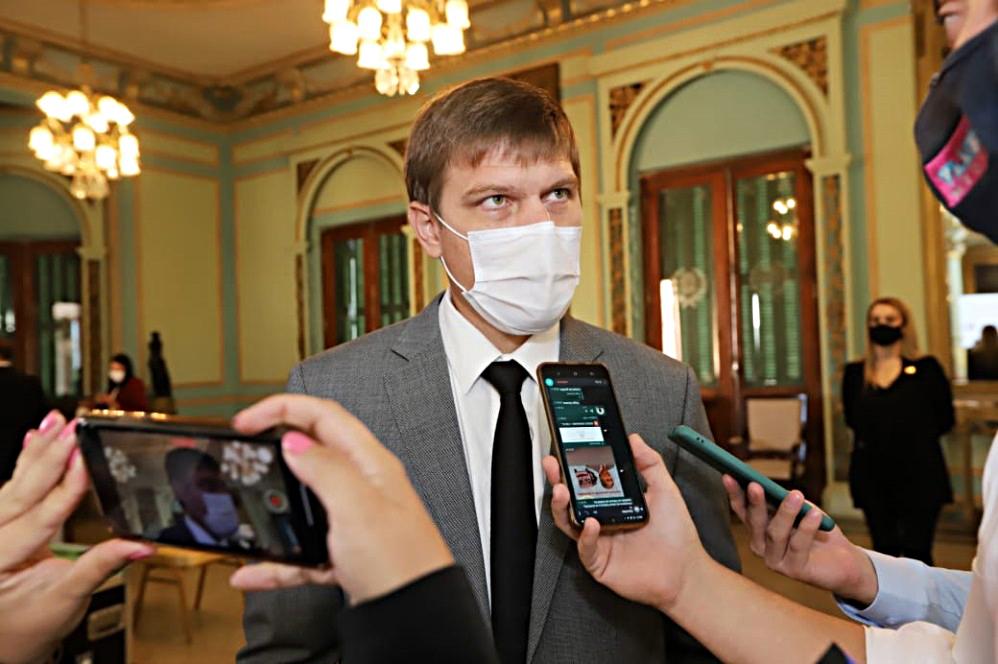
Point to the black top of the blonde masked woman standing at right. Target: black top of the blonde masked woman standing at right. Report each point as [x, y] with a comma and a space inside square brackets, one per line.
[896, 452]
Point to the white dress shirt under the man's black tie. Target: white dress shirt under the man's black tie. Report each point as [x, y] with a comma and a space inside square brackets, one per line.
[469, 353]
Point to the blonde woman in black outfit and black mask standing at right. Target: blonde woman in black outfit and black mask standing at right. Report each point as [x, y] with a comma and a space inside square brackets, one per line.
[898, 404]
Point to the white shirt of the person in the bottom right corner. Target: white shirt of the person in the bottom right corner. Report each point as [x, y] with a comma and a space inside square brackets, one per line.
[975, 638]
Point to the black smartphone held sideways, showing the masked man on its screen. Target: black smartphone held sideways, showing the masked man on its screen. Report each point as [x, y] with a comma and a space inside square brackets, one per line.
[200, 484]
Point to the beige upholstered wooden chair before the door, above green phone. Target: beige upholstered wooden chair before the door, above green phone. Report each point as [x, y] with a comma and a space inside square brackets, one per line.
[775, 444]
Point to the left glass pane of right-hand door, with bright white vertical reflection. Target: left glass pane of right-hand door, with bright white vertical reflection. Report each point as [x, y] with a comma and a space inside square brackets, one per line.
[686, 266]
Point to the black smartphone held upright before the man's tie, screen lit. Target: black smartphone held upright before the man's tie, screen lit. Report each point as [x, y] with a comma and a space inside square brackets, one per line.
[590, 439]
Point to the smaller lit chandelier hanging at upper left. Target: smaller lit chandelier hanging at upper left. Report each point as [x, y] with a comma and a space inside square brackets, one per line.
[85, 137]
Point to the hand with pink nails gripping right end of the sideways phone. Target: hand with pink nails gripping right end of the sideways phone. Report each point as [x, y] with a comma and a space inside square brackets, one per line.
[380, 534]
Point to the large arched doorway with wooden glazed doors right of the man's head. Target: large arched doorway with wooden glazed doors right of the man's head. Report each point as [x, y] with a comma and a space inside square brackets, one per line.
[728, 242]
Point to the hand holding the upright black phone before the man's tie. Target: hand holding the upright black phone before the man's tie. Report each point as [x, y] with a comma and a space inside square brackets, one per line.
[651, 564]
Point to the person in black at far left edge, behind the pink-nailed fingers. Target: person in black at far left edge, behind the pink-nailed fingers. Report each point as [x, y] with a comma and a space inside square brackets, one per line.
[22, 405]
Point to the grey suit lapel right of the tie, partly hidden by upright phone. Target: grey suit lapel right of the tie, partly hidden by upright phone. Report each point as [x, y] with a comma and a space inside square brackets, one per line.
[577, 345]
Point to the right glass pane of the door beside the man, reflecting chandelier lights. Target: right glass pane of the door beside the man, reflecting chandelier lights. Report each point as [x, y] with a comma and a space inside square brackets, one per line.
[769, 280]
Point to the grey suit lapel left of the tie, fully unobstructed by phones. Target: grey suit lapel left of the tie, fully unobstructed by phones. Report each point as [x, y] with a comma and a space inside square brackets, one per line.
[430, 445]
